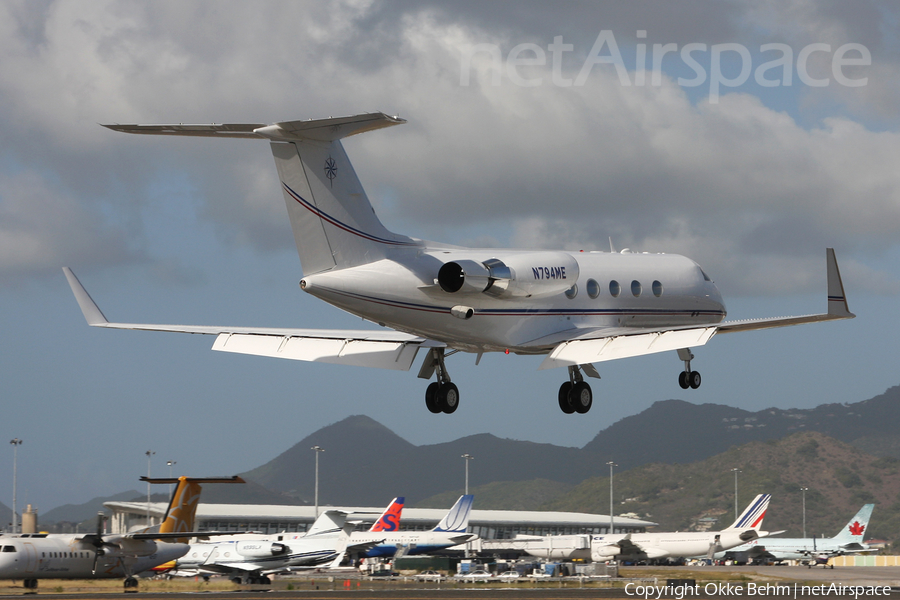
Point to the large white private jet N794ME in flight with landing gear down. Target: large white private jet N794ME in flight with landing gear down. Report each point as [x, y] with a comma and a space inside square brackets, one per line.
[576, 308]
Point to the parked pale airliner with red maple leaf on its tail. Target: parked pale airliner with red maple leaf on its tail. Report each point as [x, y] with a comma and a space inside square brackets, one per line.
[849, 540]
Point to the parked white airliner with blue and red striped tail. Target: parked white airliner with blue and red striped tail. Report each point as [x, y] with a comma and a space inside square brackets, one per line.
[643, 546]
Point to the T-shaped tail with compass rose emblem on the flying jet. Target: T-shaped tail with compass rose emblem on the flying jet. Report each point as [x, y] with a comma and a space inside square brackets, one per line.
[333, 221]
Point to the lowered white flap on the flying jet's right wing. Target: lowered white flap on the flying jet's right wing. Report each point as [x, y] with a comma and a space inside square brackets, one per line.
[579, 352]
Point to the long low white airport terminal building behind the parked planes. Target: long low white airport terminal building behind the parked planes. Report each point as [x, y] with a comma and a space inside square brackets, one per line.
[488, 524]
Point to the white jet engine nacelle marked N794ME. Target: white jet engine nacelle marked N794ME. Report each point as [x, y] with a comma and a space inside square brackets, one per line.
[526, 274]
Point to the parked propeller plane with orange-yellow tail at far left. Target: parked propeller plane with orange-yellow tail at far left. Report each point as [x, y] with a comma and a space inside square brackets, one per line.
[34, 556]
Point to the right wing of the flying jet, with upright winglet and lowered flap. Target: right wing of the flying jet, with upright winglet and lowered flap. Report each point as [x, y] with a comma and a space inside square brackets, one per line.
[585, 346]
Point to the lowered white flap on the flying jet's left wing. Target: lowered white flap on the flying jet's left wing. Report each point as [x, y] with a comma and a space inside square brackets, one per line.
[358, 352]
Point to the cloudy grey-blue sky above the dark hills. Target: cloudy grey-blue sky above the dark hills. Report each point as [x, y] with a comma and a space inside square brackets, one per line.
[747, 135]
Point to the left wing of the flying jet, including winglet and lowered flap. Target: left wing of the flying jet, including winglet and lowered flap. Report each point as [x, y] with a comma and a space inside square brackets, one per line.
[368, 348]
